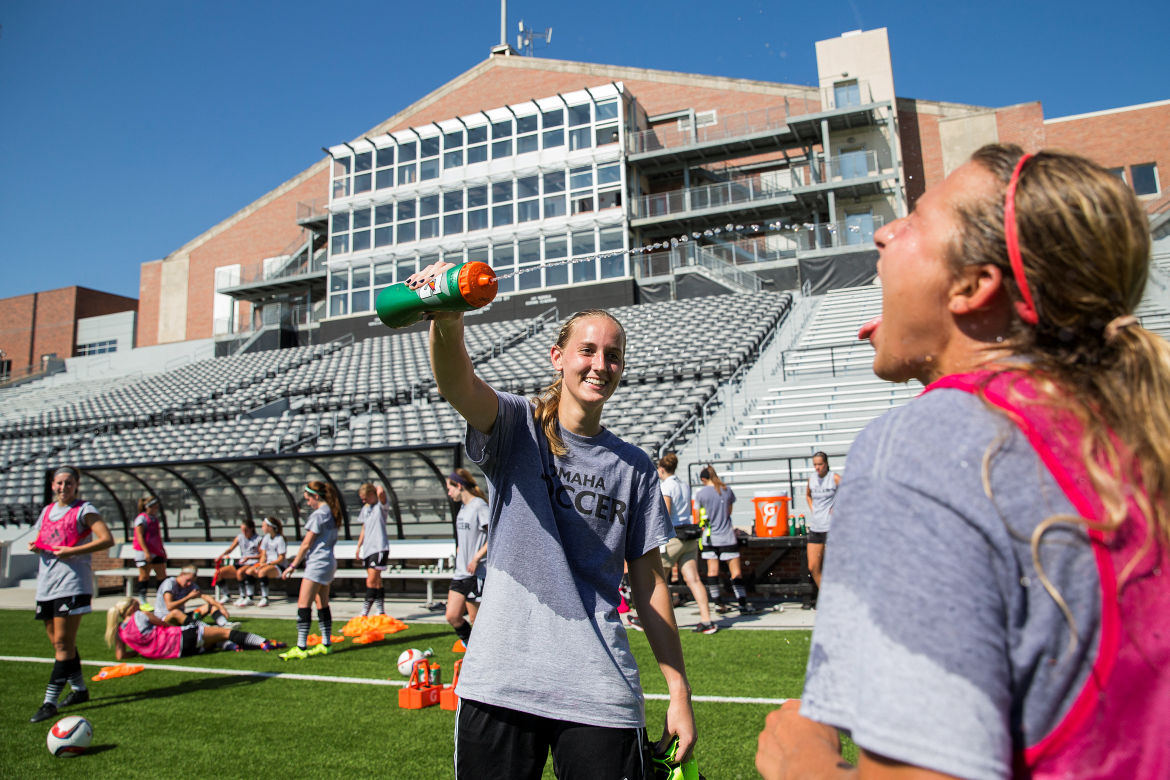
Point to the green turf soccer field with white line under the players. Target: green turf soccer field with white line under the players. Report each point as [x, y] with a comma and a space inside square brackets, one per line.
[161, 724]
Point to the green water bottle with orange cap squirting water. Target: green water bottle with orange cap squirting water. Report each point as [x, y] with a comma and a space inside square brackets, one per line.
[460, 288]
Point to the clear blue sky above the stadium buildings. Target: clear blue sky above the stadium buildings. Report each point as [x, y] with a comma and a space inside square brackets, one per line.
[129, 128]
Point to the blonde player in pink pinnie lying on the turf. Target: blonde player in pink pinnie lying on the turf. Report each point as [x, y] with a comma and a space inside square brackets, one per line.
[132, 632]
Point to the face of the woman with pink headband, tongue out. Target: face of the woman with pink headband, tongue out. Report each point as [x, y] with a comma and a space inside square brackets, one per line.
[918, 281]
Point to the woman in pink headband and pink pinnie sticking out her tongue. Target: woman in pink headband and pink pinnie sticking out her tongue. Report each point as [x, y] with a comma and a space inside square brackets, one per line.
[1024, 633]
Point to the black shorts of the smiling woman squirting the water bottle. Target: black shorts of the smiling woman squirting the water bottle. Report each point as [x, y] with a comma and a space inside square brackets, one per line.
[494, 743]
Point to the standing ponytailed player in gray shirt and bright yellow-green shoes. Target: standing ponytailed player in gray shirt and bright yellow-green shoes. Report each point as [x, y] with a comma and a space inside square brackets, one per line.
[320, 565]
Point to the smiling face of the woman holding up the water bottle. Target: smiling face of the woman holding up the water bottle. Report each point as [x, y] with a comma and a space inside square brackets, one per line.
[591, 362]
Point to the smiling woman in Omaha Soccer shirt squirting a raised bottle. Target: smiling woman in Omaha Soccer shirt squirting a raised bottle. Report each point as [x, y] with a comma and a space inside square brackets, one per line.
[550, 667]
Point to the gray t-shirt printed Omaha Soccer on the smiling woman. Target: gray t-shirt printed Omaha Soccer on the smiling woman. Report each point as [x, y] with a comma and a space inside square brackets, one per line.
[559, 535]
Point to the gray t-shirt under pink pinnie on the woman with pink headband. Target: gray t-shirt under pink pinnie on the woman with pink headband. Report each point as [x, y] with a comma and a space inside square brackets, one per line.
[937, 644]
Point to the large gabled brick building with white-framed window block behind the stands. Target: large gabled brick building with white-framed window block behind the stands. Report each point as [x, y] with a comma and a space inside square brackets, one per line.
[653, 184]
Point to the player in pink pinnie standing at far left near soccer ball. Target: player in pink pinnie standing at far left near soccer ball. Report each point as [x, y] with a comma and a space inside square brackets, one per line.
[68, 533]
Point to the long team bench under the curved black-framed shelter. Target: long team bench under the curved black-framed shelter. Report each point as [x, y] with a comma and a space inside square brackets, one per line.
[407, 557]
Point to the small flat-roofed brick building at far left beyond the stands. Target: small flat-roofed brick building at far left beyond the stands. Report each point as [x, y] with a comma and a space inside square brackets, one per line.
[43, 328]
